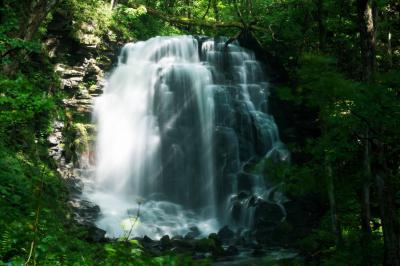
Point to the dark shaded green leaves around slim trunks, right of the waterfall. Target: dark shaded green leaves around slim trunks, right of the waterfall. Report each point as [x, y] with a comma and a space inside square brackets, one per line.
[345, 110]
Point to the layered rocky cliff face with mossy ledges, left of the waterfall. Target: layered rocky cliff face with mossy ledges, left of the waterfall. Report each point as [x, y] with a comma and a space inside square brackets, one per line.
[80, 64]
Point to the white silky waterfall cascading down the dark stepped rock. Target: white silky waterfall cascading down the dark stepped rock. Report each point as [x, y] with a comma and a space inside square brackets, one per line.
[178, 117]
